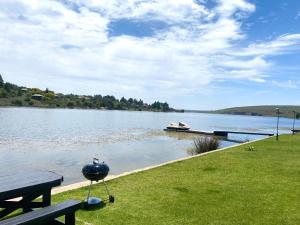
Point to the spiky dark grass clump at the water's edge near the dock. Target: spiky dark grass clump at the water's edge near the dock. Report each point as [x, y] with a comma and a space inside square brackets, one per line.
[204, 144]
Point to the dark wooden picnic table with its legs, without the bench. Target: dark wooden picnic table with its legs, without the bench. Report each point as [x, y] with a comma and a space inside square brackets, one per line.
[27, 186]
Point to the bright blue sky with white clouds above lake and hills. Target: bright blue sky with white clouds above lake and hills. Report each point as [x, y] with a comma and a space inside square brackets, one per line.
[193, 54]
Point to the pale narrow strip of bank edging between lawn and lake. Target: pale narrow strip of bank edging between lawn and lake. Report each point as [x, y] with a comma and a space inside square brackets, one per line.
[82, 184]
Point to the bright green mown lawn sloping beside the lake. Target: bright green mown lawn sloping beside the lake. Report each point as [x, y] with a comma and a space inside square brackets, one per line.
[230, 187]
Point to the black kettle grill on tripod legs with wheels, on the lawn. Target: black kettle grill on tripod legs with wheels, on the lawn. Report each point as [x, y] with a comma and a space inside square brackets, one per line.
[95, 172]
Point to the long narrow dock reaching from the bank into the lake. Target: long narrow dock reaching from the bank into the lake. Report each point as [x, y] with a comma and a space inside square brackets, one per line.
[221, 133]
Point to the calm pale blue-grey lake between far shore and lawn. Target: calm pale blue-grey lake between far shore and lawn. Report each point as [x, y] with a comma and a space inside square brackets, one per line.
[63, 140]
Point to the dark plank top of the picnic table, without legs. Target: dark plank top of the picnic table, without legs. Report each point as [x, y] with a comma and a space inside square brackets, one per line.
[18, 184]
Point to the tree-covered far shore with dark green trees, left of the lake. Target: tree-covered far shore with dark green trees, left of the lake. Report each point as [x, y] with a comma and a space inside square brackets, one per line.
[13, 95]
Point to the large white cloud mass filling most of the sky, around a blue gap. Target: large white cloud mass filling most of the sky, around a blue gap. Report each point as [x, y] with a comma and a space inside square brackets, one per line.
[66, 46]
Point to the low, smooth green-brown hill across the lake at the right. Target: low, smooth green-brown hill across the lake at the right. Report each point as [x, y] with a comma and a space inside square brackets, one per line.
[263, 110]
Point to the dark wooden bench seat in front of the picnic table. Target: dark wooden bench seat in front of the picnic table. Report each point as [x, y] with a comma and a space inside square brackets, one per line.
[47, 215]
